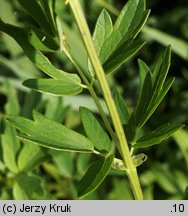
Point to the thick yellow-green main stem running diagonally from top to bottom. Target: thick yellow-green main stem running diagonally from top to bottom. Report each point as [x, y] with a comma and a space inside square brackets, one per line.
[123, 145]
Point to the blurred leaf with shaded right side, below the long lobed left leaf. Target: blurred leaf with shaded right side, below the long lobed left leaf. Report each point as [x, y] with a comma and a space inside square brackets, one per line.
[31, 156]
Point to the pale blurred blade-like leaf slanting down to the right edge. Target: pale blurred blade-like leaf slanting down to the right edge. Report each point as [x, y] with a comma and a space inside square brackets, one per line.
[179, 46]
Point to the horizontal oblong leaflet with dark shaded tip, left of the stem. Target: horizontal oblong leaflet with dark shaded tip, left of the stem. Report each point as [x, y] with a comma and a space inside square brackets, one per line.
[56, 87]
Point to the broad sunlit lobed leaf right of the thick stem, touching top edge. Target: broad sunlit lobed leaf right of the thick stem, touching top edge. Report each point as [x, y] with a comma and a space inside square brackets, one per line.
[118, 47]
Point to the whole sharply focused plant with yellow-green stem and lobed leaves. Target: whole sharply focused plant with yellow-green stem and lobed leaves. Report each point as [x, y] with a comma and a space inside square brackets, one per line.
[110, 46]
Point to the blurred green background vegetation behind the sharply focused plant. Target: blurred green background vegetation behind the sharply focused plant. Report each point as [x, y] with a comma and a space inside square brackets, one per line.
[163, 175]
